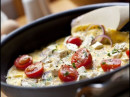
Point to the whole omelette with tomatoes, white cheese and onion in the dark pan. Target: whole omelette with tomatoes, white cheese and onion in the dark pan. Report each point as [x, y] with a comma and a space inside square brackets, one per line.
[90, 51]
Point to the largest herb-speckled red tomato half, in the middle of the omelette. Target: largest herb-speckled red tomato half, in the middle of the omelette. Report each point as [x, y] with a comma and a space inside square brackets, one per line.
[82, 57]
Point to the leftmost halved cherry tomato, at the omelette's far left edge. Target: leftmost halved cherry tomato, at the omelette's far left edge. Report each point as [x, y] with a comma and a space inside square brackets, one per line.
[23, 61]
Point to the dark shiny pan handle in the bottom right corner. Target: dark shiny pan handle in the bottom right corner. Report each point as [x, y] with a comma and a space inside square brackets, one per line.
[118, 82]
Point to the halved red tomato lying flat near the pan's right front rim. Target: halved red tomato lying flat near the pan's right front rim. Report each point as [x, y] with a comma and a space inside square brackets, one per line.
[109, 64]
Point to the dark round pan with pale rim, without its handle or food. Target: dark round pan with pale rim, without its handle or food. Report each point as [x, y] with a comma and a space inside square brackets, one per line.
[36, 35]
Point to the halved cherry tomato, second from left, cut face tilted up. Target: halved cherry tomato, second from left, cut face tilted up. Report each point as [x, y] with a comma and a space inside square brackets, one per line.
[35, 70]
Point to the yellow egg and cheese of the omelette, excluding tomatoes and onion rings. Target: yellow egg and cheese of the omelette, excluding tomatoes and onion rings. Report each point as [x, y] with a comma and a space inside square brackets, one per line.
[58, 53]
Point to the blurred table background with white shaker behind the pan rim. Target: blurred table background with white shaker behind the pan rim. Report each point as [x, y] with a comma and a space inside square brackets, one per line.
[17, 13]
